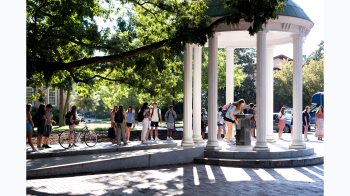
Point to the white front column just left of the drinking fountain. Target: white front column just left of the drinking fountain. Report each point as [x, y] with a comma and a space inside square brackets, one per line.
[212, 143]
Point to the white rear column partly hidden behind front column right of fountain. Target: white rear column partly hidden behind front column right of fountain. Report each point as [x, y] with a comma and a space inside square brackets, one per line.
[269, 117]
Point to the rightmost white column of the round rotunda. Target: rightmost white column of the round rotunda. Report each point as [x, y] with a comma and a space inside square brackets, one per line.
[297, 141]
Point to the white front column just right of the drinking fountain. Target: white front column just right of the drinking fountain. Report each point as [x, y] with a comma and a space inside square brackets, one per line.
[261, 93]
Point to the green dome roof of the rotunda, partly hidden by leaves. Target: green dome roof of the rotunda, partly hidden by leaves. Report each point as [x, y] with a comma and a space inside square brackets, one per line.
[216, 9]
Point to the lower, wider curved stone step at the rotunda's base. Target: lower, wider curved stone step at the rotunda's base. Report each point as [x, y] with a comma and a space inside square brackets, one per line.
[313, 159]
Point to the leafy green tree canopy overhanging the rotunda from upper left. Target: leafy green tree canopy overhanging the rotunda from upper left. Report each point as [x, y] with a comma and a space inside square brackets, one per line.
[67, 41]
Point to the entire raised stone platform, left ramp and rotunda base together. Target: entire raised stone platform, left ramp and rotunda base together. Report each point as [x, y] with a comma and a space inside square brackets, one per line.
[105, 157]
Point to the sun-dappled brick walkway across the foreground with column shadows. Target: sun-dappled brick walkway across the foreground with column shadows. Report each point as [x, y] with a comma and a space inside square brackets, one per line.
[189, 179]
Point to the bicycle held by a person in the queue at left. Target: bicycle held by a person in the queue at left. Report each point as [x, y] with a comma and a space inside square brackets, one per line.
[89, 138]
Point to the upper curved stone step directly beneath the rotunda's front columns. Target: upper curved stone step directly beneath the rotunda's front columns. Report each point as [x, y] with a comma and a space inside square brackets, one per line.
[289, 153]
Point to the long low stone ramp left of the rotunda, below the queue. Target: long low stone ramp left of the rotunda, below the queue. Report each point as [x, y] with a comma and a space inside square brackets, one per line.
[95, 163]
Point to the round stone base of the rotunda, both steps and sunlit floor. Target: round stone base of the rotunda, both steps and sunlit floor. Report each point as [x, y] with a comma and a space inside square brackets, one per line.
[279, 155]
